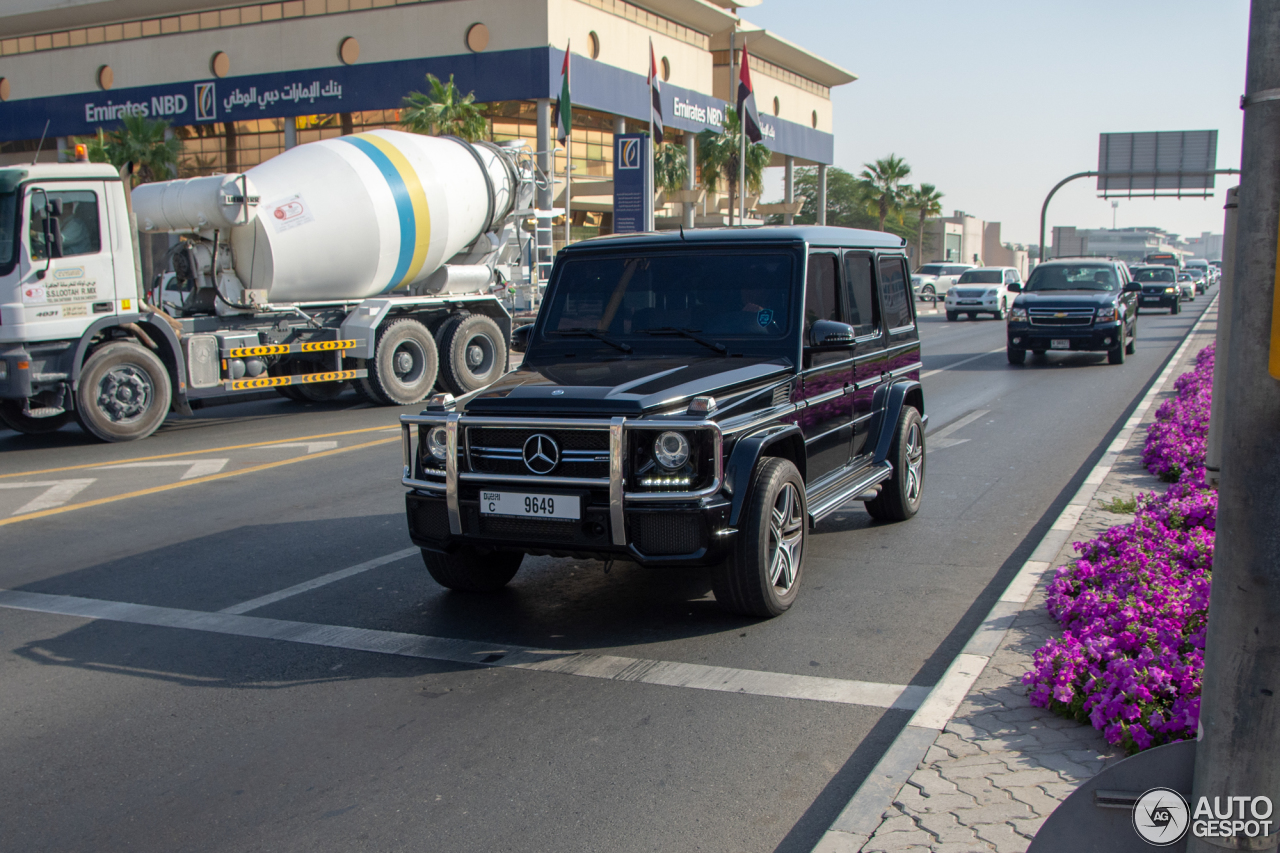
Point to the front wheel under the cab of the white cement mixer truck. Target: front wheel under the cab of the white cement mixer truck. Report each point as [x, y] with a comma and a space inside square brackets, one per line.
[124, 394]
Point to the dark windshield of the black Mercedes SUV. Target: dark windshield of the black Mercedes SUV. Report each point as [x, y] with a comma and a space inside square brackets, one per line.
[715, 295]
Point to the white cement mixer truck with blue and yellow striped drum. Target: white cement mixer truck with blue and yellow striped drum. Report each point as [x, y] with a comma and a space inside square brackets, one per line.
[380, 259]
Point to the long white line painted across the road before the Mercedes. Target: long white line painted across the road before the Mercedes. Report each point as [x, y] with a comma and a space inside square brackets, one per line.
[597, 667]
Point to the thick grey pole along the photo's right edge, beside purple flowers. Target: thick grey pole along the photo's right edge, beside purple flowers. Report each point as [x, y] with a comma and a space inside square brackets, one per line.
[1238, 754]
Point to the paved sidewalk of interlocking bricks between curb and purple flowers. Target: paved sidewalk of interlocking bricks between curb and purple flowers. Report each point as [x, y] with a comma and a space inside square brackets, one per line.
[1002, 767]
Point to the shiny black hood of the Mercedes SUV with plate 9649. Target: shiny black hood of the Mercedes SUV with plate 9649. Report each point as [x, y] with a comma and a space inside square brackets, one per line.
[619, 387]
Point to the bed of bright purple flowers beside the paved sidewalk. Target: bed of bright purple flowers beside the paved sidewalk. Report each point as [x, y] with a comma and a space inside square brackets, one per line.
[1133, 605]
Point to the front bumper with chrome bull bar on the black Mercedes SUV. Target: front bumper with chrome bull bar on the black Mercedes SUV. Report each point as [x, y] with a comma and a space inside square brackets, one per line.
[651, 528]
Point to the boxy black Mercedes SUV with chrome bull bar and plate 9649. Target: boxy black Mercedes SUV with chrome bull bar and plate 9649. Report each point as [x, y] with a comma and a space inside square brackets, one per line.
[684, 400]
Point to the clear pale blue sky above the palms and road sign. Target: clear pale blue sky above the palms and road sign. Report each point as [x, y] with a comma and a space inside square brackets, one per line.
[998, 101]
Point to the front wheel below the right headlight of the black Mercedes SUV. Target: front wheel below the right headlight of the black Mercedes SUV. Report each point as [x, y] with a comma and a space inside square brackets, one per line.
[762, 573]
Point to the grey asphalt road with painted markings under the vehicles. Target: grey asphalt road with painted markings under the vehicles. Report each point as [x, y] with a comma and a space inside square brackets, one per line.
[159, 728]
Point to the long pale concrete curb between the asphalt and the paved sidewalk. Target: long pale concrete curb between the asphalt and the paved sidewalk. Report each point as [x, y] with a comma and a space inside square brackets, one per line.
[866, 810]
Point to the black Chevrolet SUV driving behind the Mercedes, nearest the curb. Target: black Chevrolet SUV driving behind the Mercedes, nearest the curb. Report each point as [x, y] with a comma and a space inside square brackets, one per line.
[1075, 305]
